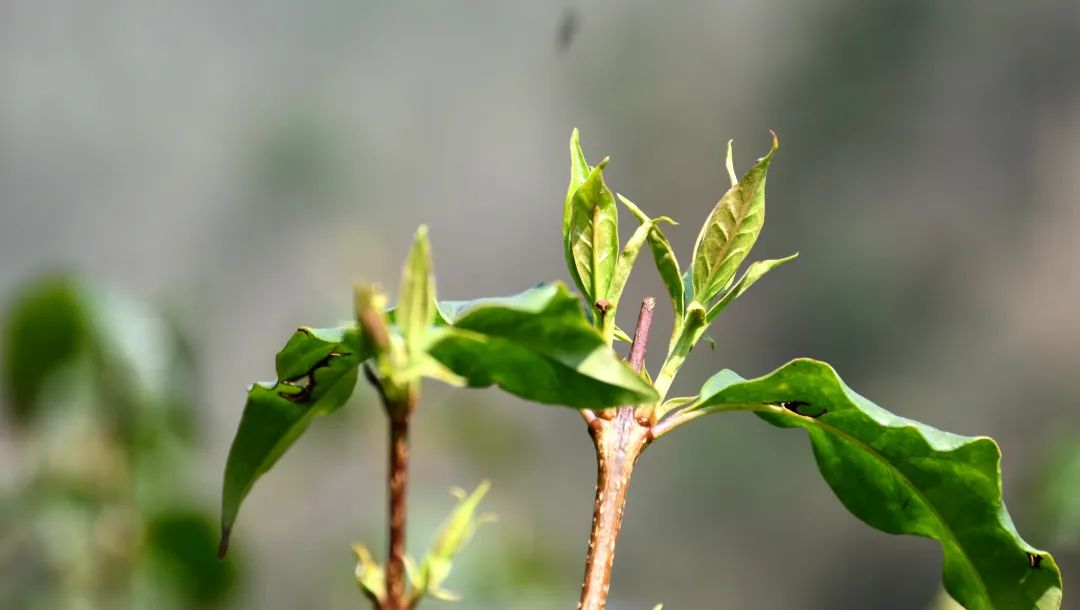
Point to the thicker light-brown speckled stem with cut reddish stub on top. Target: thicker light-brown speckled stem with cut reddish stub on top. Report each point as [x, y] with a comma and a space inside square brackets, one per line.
[619, 442]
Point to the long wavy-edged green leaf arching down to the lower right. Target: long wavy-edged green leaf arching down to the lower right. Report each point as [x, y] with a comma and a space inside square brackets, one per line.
[906, 478]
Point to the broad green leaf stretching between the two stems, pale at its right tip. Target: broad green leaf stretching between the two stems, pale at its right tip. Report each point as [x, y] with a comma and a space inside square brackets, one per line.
[538, 346]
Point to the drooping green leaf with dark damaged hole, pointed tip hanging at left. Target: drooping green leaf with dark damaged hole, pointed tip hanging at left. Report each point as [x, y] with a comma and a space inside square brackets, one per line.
[317, 374]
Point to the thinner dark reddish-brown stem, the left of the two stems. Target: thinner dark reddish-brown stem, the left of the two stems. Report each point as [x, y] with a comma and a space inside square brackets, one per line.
[398, 486]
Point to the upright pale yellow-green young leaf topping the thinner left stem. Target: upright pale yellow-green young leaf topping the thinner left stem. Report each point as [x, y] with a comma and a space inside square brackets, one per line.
[416, 304]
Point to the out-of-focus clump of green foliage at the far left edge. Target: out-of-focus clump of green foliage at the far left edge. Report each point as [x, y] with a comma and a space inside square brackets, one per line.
[100, 518]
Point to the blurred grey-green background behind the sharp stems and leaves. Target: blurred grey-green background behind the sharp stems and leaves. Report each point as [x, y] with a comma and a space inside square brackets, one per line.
[237, 167]
